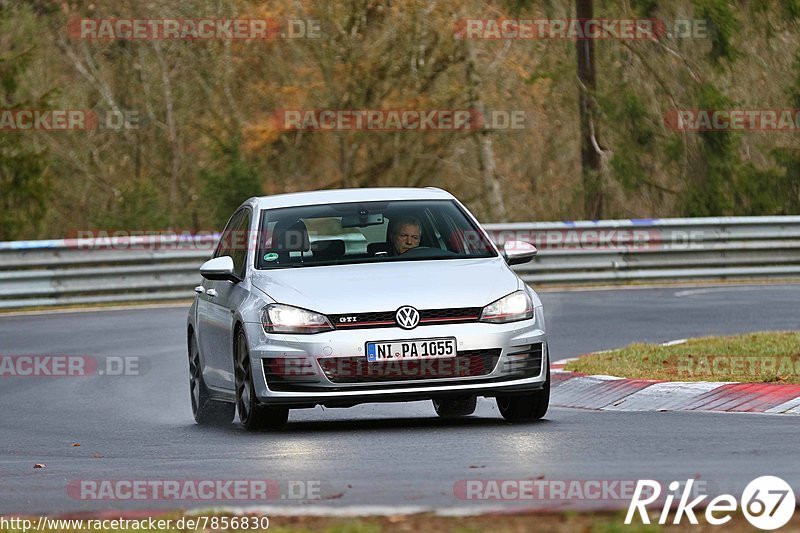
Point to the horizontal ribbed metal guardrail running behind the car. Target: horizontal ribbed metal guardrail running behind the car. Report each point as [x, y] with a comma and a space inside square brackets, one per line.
[89, 271]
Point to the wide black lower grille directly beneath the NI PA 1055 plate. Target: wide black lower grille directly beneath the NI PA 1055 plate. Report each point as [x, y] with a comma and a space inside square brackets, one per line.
[468, 363]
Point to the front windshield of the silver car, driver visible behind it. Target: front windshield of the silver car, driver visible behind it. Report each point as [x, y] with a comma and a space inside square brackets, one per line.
[343, 234]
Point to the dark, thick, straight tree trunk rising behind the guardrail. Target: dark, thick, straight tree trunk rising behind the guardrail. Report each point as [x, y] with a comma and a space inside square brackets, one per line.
[591, 163]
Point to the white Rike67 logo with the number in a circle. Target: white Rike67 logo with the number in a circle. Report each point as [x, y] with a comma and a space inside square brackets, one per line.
[768, 503]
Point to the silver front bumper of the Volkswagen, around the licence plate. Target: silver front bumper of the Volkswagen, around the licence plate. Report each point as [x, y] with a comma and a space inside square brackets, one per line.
[306, 370]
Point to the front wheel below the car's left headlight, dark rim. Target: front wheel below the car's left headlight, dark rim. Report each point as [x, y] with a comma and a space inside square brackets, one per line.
[252, 414]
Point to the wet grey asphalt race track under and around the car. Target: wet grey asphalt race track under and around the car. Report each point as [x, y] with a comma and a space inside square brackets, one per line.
[140, 427]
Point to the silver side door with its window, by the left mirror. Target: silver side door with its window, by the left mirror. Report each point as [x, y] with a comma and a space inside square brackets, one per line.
[215, 319]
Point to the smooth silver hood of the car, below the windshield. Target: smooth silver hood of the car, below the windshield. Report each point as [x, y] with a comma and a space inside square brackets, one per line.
[341, 289]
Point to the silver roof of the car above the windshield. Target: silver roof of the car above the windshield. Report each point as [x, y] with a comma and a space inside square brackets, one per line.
[338, 196]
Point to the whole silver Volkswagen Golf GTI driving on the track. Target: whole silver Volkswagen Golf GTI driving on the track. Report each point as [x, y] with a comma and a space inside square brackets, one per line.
[343, 297]
